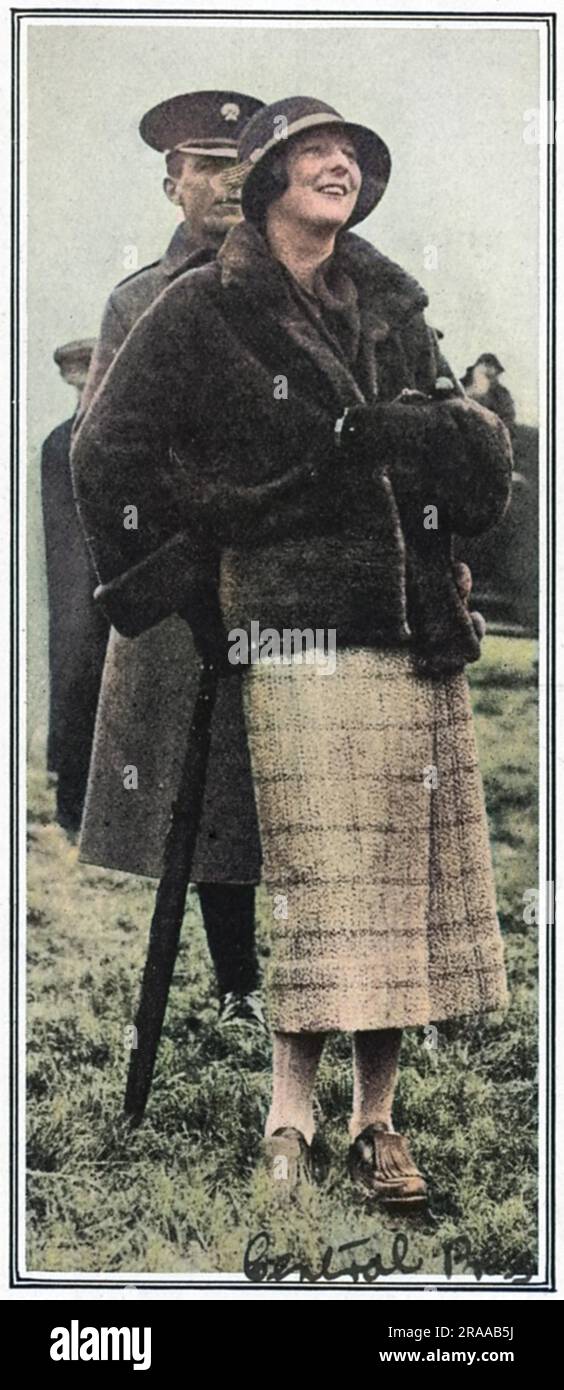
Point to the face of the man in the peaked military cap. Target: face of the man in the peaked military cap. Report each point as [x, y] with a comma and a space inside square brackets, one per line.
[209, 209]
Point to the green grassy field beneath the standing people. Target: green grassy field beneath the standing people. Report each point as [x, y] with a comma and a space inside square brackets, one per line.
[184, 1192]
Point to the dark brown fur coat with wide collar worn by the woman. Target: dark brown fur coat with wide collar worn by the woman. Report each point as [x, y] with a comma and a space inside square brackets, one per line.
[216, 423]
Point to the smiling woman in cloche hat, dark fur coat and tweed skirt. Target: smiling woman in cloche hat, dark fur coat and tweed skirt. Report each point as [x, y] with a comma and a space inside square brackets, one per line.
[283, 411]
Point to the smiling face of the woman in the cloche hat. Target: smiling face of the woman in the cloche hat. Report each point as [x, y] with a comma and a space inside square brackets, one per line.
[323, 179]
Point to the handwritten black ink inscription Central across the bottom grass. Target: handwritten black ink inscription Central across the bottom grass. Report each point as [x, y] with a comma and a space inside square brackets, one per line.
[263, 1266]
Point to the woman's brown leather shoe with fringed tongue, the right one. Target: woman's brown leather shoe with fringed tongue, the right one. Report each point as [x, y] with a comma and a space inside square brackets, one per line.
[381, 1167]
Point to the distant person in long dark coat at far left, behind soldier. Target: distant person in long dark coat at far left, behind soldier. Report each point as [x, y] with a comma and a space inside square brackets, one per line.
[77, 630]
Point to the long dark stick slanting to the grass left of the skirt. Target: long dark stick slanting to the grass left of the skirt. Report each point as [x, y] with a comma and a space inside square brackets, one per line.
[172, 899]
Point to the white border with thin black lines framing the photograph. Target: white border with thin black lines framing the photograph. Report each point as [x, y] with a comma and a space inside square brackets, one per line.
[545, 1279]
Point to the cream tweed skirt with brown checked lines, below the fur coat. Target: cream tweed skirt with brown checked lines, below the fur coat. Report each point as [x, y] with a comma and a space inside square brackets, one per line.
[376, 846]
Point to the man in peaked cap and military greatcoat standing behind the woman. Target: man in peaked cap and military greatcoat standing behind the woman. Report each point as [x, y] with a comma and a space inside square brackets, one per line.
[151, 682]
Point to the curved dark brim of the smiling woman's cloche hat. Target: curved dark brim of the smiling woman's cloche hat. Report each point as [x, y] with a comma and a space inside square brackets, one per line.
[374, 159]
